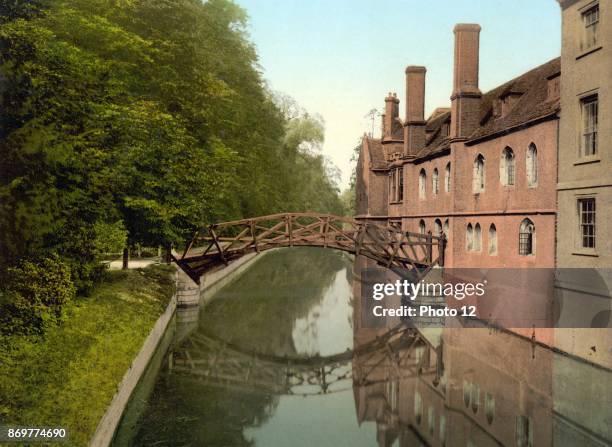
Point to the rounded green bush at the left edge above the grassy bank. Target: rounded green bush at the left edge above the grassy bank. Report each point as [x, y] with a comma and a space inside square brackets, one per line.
[34, 296]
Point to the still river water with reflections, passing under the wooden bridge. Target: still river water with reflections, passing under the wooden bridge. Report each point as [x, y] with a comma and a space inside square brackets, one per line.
[279, 358]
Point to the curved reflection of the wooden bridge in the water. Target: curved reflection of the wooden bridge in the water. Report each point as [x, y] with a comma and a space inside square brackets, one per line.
[219, 363]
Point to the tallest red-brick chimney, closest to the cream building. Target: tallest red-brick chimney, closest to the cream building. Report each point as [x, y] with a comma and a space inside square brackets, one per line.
[465, 100]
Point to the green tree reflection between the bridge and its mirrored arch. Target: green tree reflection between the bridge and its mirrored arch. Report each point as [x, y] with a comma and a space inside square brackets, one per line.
[258, 310]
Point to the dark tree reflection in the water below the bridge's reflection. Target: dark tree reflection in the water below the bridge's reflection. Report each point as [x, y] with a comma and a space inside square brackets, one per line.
[192, 414]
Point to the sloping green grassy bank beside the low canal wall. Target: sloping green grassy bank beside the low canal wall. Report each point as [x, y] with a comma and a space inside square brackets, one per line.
[68, 377]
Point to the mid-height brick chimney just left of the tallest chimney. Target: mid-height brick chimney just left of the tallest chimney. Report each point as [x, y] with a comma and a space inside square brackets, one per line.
[414, 130]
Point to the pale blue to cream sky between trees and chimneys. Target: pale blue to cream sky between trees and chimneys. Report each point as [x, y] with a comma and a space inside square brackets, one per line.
[340, 58]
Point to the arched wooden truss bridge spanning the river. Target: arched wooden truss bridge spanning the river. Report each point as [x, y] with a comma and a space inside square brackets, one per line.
[221, 243]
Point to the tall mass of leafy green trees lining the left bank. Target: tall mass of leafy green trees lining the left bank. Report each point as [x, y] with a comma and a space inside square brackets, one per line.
[141, 120]
